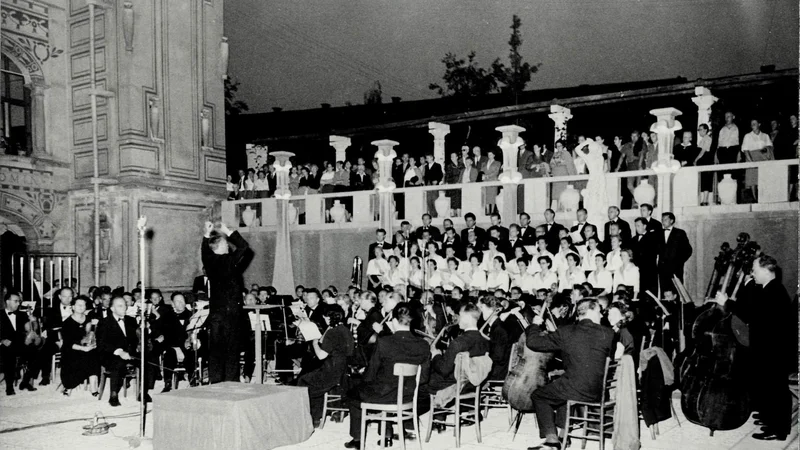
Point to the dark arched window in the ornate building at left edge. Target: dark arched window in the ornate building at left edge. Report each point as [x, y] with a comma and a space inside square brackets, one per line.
[15, 110]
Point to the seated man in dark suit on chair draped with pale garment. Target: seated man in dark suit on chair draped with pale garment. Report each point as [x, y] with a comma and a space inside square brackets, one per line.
[470, 340]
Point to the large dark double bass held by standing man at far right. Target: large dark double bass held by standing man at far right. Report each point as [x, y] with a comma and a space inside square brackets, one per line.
[713, 378]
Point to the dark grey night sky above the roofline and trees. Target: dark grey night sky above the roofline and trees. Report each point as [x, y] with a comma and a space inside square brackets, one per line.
[297, 54]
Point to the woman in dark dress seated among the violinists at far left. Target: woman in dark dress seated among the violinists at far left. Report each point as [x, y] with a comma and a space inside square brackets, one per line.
[79, 358]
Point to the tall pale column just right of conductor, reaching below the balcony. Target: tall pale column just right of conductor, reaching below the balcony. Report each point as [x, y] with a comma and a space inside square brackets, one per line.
[283, 274]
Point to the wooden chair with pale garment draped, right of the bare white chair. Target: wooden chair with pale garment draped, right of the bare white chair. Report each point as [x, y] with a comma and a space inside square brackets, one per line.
[468, 416]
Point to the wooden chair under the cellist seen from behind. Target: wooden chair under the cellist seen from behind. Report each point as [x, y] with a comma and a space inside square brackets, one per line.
[597, 417]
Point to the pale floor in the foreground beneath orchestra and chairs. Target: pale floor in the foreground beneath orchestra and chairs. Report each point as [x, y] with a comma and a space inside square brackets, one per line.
[48, 420]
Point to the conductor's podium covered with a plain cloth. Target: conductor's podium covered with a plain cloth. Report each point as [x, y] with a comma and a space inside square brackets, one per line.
[231, 416]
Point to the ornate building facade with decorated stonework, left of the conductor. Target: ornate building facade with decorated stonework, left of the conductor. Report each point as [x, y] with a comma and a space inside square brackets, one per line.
[158, 128]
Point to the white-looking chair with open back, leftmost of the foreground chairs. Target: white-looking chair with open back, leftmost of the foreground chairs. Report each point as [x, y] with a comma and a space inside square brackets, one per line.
[400, 411]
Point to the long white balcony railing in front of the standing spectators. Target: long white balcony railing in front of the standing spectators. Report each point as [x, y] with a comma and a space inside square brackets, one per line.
[775, 181]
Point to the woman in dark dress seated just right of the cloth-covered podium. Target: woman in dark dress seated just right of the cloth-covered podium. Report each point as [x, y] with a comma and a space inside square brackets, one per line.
[333, 349]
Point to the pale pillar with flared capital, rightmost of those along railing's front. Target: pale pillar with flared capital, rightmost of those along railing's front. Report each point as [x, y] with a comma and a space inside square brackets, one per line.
[666, 166]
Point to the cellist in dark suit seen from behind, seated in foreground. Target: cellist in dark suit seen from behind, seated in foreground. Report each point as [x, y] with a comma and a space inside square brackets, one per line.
[584, 347]
